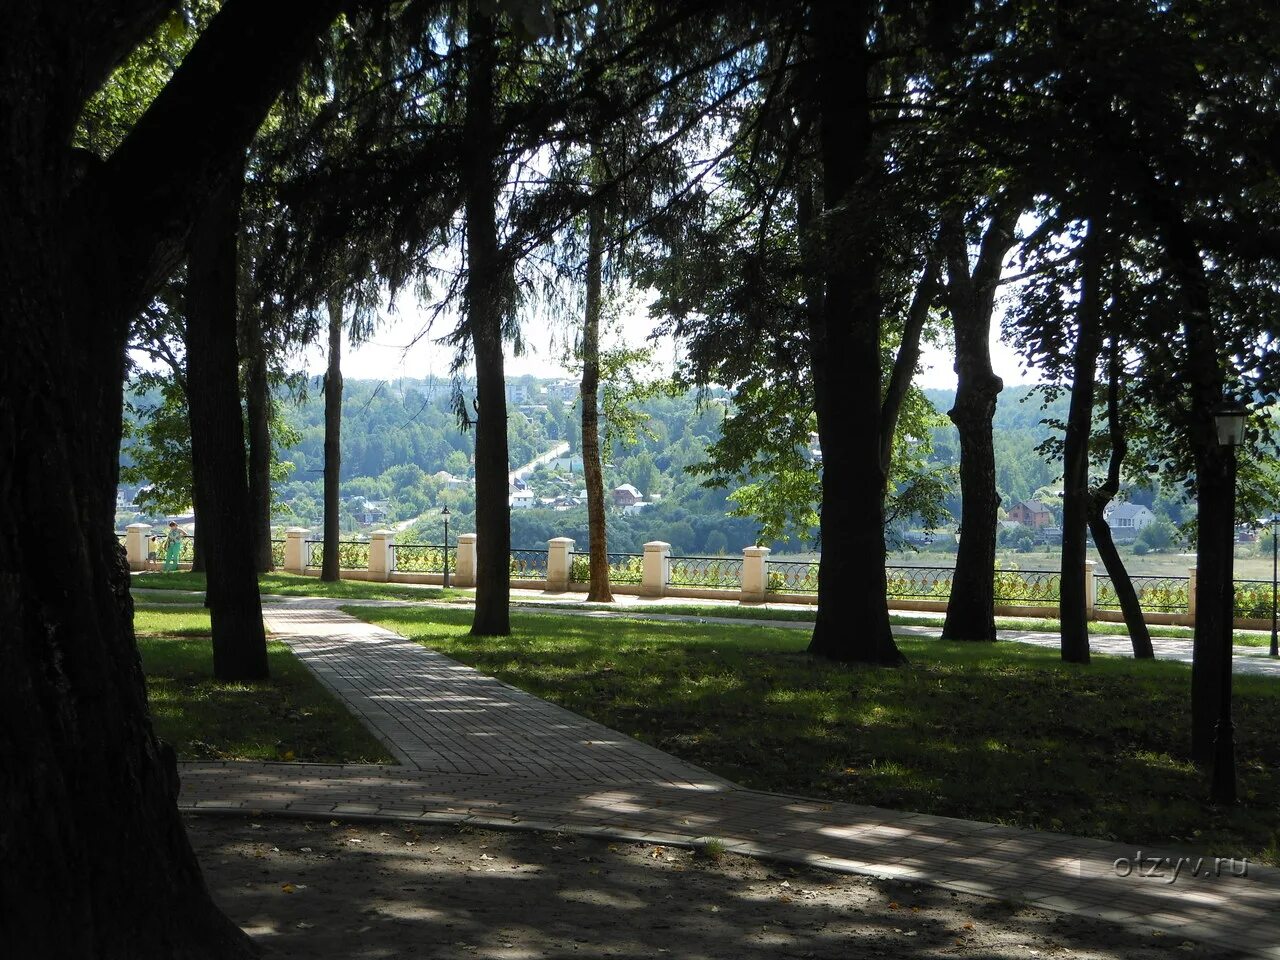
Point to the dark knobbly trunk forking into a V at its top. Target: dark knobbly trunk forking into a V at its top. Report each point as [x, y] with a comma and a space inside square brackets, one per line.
[971, 301]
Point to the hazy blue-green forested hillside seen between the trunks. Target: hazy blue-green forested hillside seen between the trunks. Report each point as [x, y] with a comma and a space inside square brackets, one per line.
[400, 436]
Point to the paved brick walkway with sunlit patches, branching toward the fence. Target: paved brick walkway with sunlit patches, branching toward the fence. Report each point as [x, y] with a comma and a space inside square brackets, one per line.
[478, 751]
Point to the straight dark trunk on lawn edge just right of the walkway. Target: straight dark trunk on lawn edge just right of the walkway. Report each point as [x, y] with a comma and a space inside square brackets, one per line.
[486, 303]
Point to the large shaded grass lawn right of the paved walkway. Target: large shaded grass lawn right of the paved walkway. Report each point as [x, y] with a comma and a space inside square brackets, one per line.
[1002, 733]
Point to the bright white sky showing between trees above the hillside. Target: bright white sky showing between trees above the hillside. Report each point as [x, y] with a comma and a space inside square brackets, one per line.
[390, 354]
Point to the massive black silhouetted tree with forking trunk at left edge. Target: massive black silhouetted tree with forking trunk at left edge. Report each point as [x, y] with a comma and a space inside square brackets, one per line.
[102, 866]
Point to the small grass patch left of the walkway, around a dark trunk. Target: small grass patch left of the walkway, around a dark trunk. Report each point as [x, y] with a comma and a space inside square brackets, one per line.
[292, 717]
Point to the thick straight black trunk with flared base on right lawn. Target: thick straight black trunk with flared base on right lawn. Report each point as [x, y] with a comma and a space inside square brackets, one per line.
[852, 623]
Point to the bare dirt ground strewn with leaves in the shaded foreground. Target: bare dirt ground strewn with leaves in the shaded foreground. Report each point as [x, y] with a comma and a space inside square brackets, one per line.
[326, 889]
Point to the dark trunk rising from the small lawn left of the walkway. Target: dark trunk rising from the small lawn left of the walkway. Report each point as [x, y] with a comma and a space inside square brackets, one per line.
[218, 441]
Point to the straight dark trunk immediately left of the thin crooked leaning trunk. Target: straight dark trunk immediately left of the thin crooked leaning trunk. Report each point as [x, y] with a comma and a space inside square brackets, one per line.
[1076, 452]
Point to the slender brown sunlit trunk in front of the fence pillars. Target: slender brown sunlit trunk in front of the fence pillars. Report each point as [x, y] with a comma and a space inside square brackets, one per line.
[591, 392]
